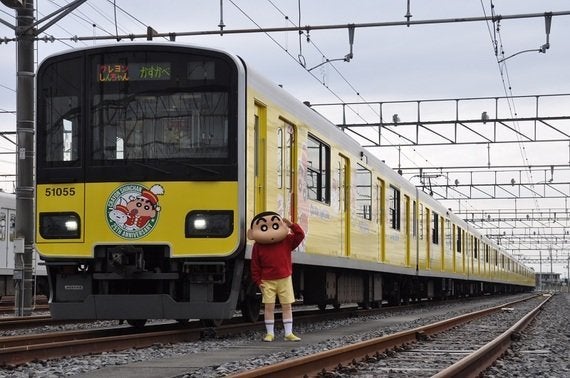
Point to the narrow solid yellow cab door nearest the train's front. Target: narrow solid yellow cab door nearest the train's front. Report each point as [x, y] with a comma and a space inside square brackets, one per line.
[260, 148]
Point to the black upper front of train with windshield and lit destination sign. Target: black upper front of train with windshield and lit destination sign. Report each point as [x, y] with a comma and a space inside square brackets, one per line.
[153, 108]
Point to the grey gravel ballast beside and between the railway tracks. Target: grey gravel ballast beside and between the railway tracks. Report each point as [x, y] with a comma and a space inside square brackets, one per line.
[543, 350]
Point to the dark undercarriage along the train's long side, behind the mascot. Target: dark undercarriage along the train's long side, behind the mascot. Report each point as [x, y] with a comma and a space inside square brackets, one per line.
[322, 286]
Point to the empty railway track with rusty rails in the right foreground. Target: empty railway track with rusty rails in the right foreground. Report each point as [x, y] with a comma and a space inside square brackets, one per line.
[462, 346]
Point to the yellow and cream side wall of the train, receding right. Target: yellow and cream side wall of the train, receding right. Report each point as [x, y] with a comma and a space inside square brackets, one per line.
[337, 233]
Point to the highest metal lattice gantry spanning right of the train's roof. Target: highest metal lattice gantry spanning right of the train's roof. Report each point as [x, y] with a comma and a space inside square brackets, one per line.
[472, 120]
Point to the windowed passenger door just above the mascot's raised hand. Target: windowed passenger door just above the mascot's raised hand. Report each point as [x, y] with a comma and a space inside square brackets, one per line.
[286, 175]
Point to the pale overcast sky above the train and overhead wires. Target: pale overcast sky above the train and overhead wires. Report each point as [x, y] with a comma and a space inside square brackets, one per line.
[432, 61]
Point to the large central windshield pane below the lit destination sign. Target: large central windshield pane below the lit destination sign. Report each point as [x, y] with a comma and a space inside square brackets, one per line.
[160, 126]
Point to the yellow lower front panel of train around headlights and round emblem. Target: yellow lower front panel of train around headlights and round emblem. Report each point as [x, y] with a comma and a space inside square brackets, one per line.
[167, 228]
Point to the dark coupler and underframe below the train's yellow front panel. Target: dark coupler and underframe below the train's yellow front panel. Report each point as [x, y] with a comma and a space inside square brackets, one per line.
[135, 284]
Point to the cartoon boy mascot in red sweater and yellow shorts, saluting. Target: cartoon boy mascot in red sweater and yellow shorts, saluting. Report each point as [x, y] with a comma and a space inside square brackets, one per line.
[271, 266]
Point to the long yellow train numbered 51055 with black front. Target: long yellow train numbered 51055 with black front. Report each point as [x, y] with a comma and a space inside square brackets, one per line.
[152, 158]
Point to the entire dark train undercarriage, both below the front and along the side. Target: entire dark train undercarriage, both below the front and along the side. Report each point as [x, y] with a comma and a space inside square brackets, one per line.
[136, 284]
